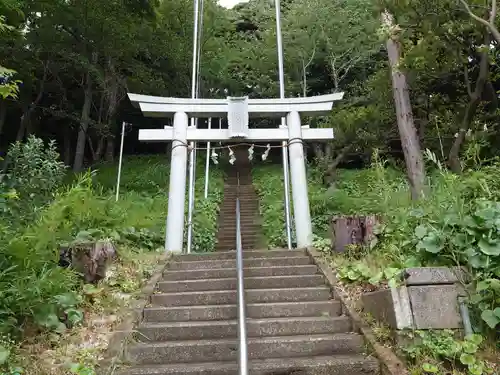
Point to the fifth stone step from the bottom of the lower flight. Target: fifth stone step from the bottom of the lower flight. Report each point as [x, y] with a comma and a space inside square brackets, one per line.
[228, 297]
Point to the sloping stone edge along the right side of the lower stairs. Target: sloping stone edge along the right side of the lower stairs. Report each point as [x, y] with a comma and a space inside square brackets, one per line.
[390, 364]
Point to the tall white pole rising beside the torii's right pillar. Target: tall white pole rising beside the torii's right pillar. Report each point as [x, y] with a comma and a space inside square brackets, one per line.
[279, 42]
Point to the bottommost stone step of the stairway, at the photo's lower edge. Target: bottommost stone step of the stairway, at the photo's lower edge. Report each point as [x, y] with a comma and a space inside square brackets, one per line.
[319, 365]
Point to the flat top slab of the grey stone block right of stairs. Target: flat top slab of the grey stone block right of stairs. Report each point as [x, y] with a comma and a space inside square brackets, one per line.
[434, 275]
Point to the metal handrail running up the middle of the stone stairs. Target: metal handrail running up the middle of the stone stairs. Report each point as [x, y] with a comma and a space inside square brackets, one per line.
[242, 329]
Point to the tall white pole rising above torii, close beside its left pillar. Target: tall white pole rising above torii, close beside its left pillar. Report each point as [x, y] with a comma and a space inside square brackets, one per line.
[192, 155]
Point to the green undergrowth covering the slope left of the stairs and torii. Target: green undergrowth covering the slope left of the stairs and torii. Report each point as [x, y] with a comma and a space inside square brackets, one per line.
[37, 296]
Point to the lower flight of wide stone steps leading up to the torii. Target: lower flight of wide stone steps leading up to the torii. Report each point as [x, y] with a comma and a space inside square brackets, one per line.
[294, 326]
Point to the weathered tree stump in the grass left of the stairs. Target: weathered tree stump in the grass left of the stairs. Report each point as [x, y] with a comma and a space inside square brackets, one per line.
[90, 259]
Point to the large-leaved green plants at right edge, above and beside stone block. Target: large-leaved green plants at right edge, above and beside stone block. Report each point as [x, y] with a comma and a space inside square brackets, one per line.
[456, 225]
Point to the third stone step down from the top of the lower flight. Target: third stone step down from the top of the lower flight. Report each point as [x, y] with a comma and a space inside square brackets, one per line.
[219, 273]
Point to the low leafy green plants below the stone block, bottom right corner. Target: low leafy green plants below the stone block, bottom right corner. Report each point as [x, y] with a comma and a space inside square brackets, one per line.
[438, 351]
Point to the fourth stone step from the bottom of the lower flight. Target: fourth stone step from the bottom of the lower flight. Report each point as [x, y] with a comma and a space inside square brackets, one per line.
[330, 308]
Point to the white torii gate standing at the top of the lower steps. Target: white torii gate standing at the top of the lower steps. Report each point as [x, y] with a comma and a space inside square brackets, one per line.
[238, 111]
